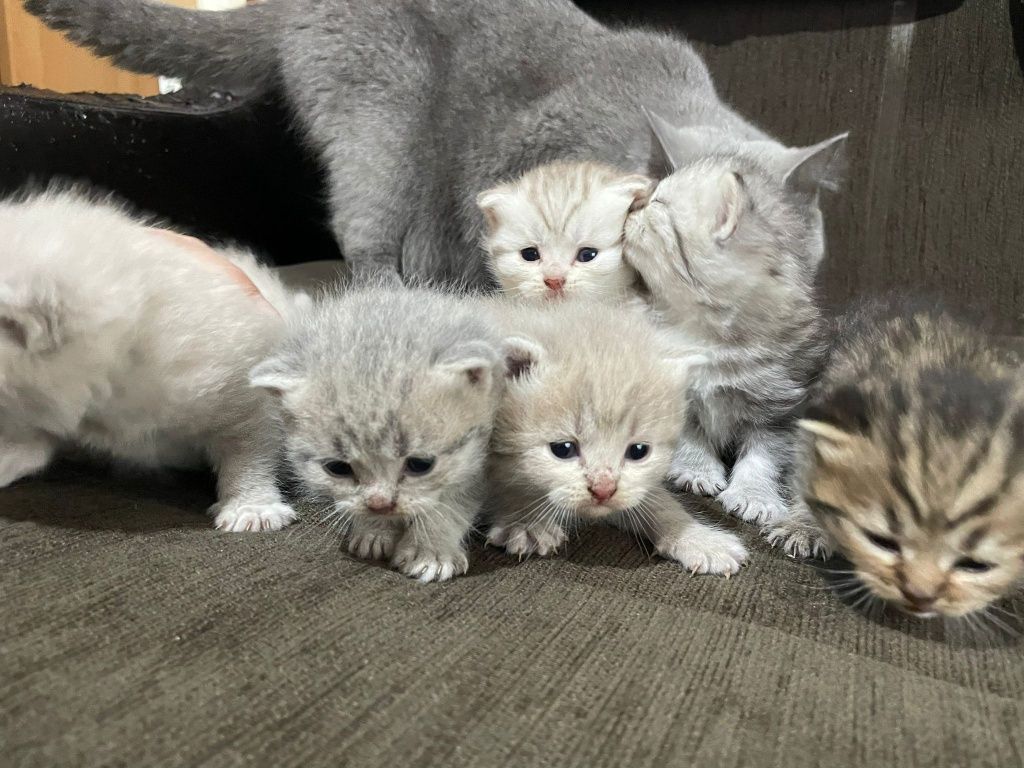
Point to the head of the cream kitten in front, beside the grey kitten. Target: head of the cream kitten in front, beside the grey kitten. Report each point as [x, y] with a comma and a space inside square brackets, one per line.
[592, 410]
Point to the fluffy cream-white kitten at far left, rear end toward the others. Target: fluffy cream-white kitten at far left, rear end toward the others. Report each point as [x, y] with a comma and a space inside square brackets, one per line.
[137, 344]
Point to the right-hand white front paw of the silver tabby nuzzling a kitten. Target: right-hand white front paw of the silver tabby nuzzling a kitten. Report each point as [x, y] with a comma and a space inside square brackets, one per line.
[754, 493]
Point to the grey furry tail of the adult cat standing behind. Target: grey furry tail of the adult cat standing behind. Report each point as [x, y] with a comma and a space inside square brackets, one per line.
[154, 38]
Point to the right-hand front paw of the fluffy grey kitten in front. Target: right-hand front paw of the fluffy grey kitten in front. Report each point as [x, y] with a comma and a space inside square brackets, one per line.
[434, 549]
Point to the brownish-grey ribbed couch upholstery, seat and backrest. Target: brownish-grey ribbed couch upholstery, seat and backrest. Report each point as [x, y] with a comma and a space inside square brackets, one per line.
[133, 634]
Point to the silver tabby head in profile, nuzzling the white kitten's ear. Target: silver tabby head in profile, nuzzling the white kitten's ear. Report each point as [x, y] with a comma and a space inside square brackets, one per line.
[737, 223]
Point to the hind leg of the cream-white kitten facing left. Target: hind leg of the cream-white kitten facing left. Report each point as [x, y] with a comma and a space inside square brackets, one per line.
[248, 498]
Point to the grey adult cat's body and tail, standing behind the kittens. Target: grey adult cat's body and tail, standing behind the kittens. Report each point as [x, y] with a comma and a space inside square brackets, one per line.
[417, 106]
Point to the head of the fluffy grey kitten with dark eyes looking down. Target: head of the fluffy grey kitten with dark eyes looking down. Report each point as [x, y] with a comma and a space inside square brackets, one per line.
[397, 425]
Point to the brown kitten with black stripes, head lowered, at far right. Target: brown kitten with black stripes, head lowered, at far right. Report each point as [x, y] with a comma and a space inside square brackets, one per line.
[914, 460]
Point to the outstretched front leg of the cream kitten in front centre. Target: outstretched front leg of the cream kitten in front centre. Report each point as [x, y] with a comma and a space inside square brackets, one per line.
[679, 536]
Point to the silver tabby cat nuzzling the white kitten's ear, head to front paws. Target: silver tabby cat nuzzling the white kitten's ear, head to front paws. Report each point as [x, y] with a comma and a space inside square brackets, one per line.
[729, 246]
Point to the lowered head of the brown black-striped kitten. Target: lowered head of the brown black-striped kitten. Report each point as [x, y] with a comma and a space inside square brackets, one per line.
[923, 491]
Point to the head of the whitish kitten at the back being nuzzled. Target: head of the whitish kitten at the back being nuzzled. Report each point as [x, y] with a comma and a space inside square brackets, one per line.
[559, 230]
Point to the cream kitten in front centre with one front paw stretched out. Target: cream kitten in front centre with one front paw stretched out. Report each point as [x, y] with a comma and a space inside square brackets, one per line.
[586, 432]
